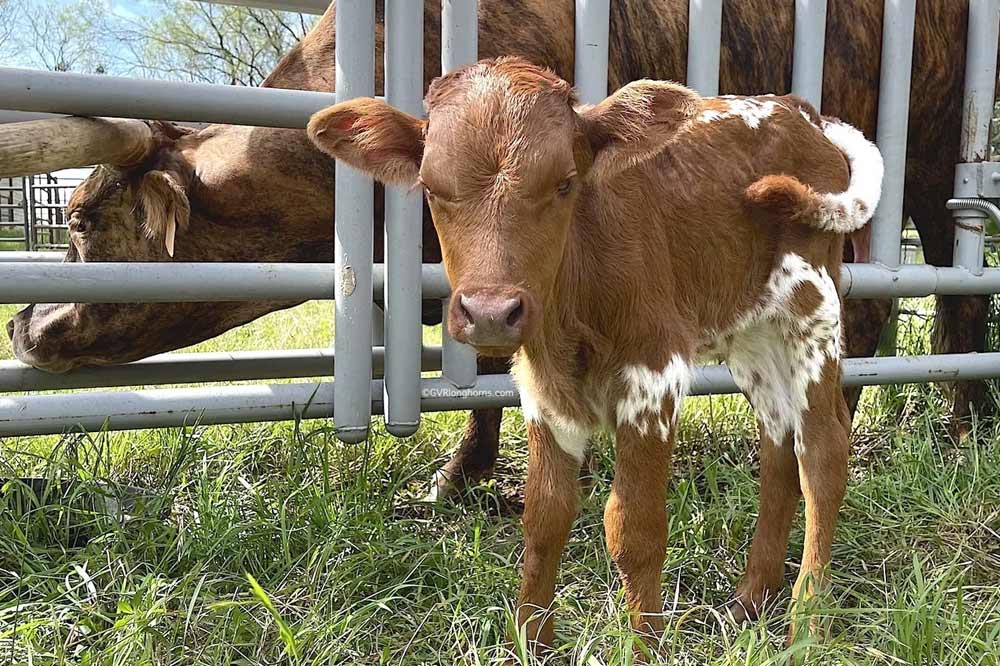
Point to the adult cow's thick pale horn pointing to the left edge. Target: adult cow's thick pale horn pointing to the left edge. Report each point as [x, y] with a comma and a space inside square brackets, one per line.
[42, 146]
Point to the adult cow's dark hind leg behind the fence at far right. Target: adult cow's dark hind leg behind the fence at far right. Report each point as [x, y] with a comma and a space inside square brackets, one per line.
[960, 321]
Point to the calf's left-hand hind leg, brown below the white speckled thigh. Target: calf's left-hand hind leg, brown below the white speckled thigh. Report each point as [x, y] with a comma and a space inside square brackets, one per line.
[779, 501]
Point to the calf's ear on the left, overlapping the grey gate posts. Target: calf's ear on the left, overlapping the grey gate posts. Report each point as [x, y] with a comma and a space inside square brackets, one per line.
[371, 136]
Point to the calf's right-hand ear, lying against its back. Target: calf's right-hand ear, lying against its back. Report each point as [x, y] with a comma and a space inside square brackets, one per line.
[635, 123]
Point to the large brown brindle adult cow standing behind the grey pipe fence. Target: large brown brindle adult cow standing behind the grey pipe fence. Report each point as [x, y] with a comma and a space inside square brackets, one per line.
[252, 194]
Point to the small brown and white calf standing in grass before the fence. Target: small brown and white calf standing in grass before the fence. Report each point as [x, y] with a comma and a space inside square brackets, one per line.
[611, 247]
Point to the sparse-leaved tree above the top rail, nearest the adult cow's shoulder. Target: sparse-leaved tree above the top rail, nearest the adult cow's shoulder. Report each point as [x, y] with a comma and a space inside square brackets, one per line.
[209, 43]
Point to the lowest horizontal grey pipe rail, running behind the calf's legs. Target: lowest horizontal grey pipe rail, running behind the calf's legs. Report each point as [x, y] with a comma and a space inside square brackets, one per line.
[162, 408]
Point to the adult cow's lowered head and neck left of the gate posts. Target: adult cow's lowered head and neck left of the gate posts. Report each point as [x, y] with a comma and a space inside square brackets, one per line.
[172, 195]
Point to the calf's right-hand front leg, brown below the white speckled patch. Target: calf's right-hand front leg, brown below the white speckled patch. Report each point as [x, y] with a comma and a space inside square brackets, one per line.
[635, 521]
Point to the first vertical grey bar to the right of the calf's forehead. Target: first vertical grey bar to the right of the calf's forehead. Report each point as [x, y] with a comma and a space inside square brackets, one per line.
[590, 75]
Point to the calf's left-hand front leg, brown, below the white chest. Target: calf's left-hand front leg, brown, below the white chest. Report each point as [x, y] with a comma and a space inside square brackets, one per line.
[550, 501]
